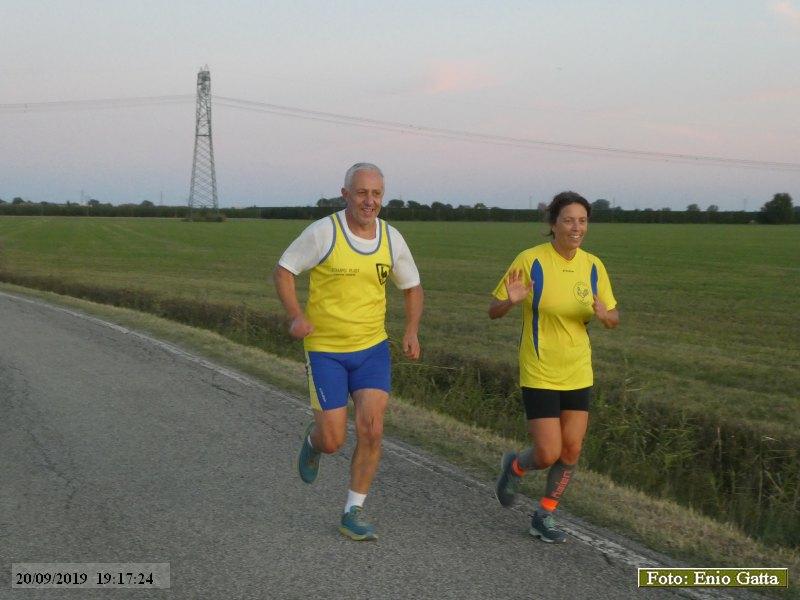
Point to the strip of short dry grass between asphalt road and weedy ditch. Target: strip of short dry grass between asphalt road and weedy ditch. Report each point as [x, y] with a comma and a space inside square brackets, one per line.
[661, 525]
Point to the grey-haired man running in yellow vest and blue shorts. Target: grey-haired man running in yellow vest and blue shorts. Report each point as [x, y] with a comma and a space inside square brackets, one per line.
[350, 254]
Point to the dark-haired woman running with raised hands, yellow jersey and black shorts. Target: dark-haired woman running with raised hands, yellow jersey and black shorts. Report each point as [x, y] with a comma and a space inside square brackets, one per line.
[560, 287]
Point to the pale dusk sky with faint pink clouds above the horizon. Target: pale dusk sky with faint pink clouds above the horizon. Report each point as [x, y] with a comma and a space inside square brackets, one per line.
[715, 78]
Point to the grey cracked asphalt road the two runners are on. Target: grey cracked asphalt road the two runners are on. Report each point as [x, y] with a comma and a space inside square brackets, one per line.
[117, 448]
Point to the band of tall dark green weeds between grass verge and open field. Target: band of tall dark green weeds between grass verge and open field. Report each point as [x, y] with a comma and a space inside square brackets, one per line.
[730, 472]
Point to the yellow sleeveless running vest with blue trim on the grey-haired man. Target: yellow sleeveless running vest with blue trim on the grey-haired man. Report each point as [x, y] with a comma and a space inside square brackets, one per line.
[347, 294]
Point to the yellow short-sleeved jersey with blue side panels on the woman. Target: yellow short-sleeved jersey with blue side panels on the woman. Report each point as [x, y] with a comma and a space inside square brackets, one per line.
[554, 350]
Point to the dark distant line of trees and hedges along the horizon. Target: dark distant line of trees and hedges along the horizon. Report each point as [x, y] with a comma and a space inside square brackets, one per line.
[779, 210]
